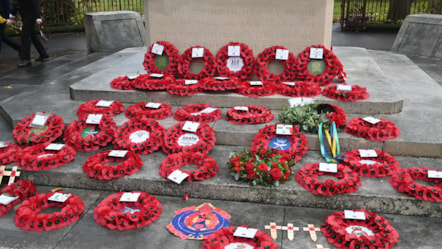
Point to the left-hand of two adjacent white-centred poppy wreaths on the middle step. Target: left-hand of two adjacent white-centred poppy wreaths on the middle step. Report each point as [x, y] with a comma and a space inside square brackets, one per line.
[141, 136]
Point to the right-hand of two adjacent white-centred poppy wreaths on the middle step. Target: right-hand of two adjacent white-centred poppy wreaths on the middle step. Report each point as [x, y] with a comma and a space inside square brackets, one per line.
[177, 140]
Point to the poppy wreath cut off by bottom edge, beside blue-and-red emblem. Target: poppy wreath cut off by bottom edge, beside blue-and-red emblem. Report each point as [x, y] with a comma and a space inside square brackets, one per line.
[224, 237]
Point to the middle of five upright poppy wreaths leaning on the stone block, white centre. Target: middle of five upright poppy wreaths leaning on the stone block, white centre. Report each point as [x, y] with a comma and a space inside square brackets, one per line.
[240, 64]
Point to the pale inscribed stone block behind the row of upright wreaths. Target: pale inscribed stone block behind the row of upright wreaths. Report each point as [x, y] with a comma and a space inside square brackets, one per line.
[257, 23]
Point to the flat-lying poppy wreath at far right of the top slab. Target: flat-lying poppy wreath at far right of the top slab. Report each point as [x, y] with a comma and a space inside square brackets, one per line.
[356, 93]
